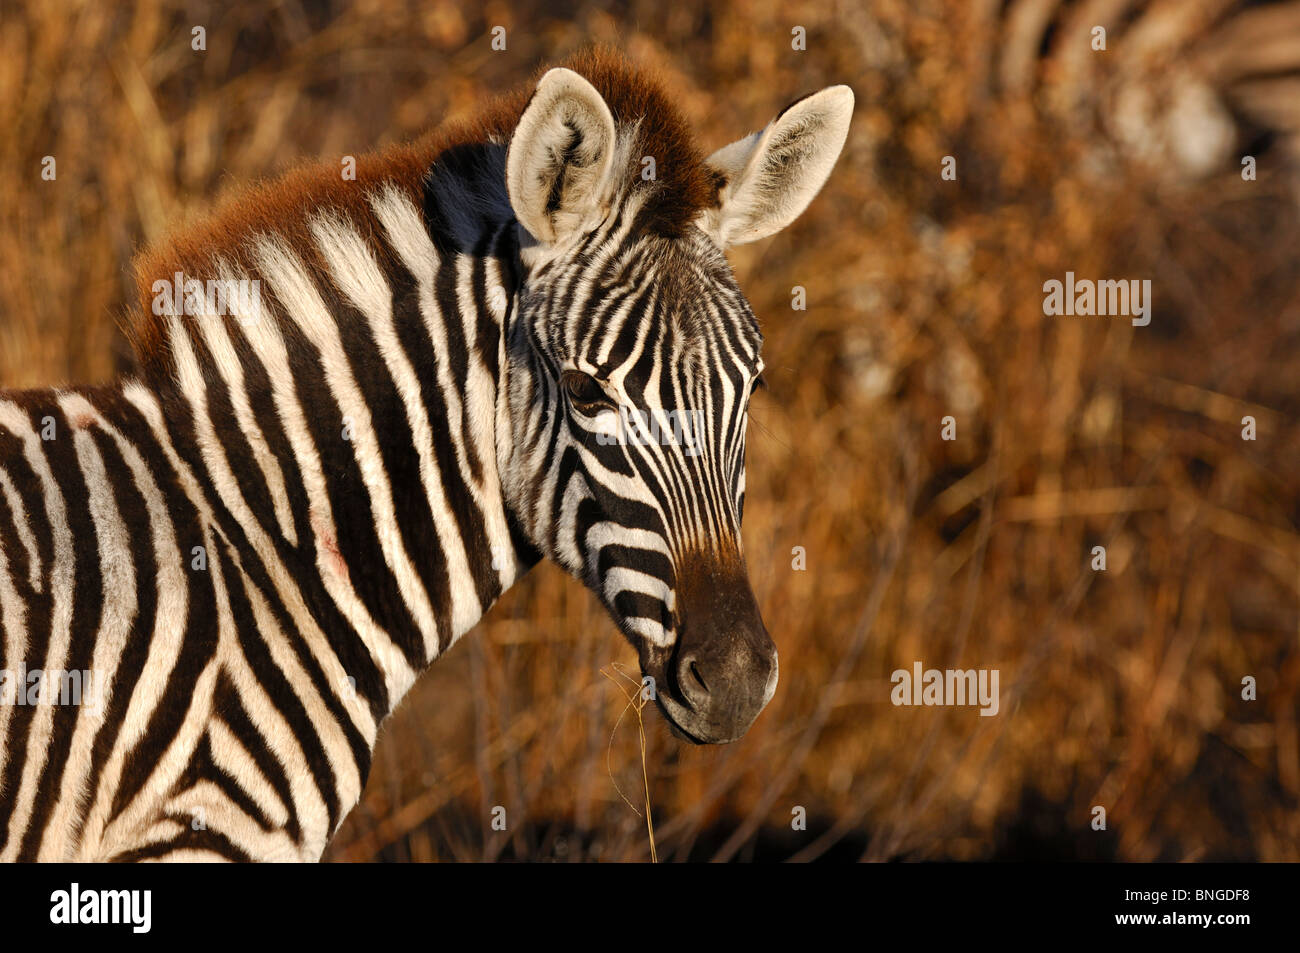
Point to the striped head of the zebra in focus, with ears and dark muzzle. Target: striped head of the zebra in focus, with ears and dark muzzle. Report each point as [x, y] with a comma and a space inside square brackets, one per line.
[631, 363]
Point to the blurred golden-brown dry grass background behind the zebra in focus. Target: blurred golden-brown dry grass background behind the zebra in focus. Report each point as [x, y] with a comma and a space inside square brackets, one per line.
[1120, 688]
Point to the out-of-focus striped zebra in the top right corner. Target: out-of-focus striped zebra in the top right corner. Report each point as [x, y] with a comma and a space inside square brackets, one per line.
[1184, 88]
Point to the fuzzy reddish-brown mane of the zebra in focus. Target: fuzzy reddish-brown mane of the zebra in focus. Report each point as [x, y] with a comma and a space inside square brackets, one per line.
[284, 205]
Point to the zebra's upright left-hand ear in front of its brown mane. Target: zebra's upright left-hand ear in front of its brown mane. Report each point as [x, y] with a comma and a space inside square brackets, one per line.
[560, 158]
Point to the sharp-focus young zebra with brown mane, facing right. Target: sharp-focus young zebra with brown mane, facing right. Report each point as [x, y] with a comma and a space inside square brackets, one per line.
[253, 545]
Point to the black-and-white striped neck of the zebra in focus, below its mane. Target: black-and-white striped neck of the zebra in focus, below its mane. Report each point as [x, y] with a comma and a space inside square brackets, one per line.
[343, 445]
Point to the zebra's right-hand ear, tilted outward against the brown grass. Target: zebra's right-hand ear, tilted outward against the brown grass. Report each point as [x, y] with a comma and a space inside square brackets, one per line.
[772, 176]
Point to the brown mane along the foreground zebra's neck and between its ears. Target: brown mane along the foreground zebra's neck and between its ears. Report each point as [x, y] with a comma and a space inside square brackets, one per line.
[285, 207]
